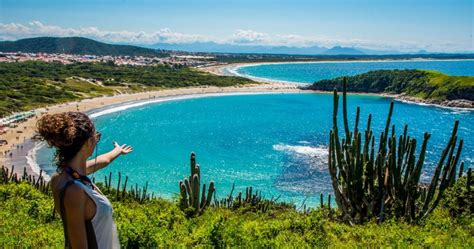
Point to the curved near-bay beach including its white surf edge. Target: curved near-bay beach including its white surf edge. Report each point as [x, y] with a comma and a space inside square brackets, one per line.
[23, 148]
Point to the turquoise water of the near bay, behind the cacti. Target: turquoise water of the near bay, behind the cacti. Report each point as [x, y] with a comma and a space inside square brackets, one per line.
[276, 143]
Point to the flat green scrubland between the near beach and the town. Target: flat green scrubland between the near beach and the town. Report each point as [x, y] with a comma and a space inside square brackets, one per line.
[25, 85]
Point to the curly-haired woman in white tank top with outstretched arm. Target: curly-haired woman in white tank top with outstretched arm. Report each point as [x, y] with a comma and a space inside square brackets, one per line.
[86, 213]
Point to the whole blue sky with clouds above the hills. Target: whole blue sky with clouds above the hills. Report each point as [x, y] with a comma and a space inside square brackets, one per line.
[436, 25]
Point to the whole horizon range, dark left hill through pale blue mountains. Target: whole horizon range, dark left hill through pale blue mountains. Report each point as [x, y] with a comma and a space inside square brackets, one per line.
[80, 45]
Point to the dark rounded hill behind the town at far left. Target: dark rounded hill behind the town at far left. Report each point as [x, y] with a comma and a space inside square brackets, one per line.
[74, 45]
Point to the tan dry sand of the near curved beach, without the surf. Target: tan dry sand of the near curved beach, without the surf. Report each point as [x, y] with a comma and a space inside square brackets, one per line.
[19, 138]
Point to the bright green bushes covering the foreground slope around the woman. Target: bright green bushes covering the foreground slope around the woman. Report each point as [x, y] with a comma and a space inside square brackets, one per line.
[28, 221]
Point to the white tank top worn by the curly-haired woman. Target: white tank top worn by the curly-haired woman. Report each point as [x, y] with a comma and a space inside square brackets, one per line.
[103, 222]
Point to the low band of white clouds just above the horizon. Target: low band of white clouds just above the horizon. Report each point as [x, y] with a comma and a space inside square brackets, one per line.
[13, 31]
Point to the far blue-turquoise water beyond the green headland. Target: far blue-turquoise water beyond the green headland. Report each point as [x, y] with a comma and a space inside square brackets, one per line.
[311, 72]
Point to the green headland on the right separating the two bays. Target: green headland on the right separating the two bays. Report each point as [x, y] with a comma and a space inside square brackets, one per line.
[417, 83]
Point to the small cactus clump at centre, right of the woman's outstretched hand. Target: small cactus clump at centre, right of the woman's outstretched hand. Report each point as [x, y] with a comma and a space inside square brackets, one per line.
[190, 190]
